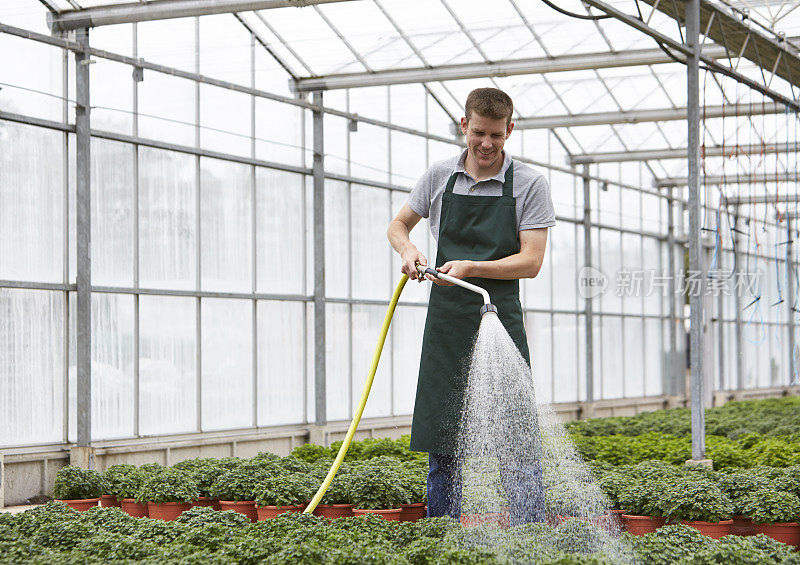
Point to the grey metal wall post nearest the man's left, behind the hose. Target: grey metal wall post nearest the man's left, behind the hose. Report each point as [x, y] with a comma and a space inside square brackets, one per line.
[319, 264]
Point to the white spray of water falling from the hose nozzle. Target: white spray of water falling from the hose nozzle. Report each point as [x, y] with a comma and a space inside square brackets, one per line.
[518, 464]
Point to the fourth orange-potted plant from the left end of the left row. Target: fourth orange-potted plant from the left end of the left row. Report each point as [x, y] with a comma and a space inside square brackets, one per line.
[168, 493]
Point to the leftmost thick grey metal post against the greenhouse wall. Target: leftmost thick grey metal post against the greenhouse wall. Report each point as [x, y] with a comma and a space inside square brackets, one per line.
[83, 321]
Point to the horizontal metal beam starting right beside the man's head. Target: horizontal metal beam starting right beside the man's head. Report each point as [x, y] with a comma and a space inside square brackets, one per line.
[638, 116]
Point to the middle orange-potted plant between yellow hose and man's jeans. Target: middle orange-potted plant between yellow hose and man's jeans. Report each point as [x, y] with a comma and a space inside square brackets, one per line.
[377, 489]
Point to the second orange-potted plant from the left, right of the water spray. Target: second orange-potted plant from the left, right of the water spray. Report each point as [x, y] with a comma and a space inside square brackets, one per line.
[700, 504]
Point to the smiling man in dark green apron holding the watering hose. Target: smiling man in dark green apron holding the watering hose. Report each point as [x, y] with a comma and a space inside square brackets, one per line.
[490, 217]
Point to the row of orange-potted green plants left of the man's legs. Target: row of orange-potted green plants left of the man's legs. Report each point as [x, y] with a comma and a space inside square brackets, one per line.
[259, 488]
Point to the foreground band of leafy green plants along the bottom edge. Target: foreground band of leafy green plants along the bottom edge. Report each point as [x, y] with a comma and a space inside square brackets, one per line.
[54, 533]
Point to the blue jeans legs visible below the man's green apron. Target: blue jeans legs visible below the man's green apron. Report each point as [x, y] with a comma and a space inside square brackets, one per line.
[522, 483]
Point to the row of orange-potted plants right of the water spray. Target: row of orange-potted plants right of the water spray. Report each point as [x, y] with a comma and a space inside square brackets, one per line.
[741, 502]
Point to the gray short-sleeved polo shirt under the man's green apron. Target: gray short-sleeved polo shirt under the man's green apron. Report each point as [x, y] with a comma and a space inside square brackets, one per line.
[534, 205]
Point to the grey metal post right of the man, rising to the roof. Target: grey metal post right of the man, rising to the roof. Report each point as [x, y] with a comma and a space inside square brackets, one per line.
[696, 299]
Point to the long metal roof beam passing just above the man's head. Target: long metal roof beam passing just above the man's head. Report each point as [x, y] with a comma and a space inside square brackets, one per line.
[584, 61]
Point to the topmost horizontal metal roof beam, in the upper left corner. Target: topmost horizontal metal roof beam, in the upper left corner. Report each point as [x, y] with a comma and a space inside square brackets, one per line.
[162, 10]
